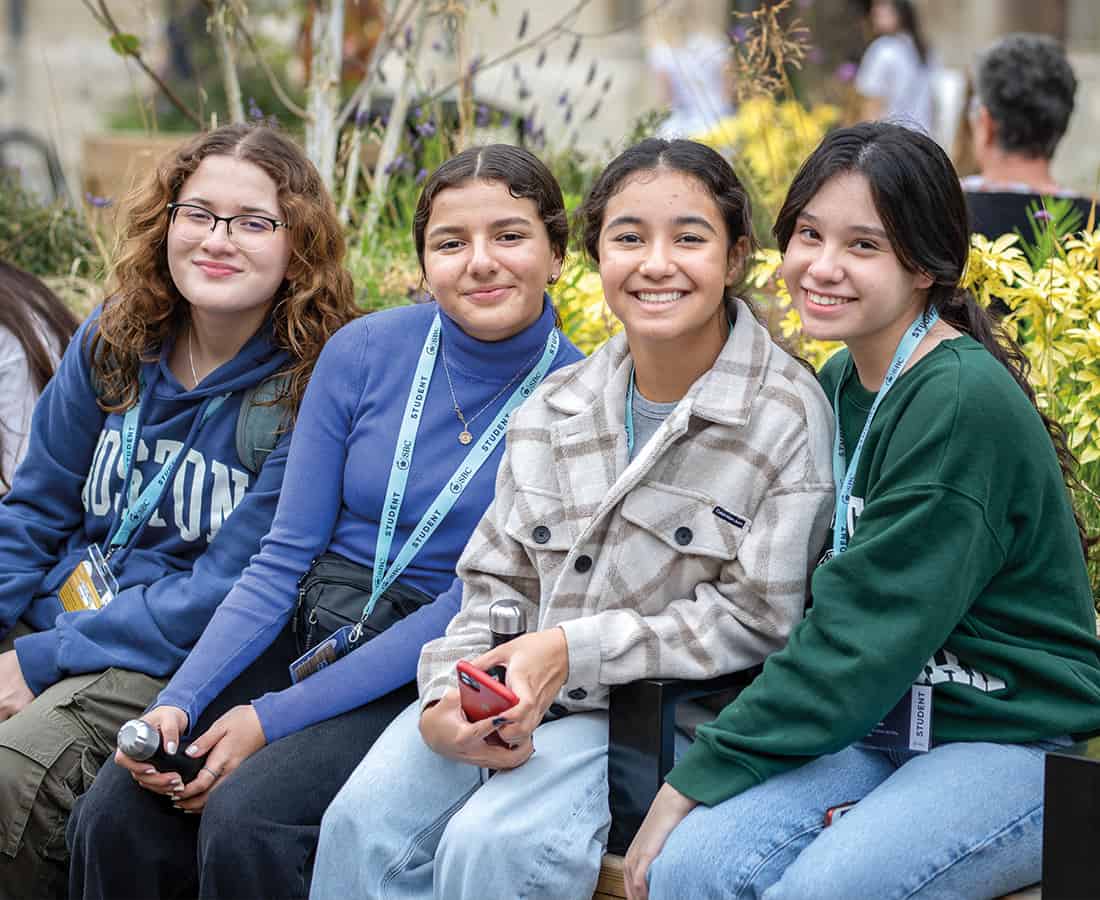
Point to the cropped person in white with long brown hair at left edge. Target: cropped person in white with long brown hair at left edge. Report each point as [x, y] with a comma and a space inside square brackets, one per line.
[35, 328]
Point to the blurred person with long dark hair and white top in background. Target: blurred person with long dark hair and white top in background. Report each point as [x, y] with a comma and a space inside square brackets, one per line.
[895, 78]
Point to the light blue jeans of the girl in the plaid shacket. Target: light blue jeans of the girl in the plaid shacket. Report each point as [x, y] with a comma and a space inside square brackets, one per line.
[411, 824]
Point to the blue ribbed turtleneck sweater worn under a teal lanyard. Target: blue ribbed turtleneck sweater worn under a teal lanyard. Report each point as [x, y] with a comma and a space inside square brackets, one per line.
[333, 500]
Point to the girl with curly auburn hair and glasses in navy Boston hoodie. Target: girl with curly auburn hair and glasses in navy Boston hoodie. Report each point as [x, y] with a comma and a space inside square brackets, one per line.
[136, 509]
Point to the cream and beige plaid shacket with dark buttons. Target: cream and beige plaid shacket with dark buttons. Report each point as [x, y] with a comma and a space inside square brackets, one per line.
[690, 562]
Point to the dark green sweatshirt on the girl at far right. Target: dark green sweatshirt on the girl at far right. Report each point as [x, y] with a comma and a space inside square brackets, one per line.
[964, 572]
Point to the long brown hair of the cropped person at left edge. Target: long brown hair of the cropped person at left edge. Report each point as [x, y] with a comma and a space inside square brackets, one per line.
[29, 309]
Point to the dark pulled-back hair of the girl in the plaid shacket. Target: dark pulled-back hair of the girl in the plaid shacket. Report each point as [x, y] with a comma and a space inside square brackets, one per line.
[688, 158]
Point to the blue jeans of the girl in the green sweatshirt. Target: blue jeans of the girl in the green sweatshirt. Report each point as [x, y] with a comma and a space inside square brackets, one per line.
[962, 821]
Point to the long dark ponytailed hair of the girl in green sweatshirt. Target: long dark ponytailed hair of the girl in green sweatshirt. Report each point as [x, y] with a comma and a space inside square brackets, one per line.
[918, 196]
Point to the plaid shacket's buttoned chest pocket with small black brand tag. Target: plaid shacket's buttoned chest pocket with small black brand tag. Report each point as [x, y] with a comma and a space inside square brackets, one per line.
[675, 524]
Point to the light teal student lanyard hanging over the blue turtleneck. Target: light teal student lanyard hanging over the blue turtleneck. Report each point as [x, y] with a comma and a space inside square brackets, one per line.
[450, 493]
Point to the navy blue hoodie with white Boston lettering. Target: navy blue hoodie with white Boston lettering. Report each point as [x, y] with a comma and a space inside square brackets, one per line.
[181, 565]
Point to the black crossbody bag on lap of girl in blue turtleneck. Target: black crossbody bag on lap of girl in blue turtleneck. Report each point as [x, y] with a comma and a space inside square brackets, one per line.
[334, 594]
